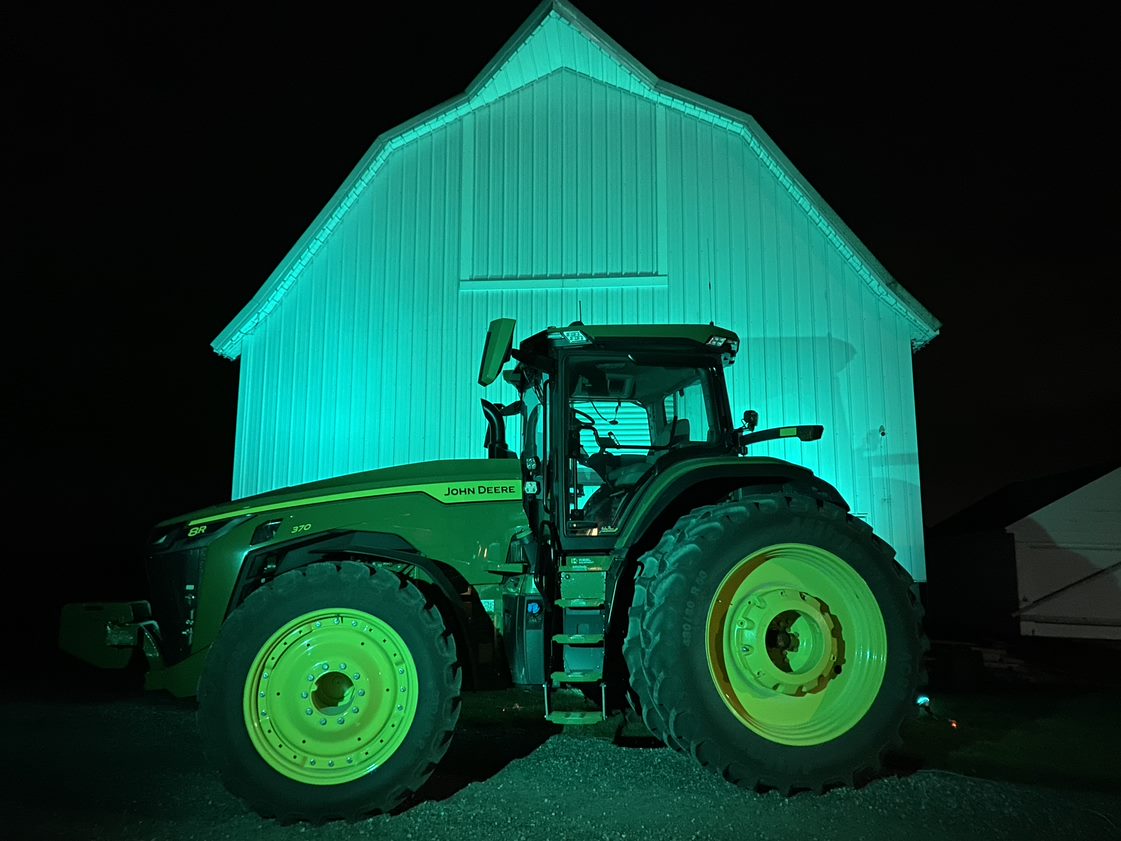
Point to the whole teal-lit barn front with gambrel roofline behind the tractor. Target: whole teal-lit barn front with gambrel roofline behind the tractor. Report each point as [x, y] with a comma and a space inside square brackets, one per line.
[567, 183]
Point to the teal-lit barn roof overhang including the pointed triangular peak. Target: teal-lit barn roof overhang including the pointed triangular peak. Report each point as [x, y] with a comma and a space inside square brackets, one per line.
[558, 36]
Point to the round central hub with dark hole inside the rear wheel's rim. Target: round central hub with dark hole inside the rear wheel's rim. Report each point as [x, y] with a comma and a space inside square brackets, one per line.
[784, 641]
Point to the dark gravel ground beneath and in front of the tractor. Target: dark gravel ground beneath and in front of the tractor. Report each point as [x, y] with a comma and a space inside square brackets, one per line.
[129, 768]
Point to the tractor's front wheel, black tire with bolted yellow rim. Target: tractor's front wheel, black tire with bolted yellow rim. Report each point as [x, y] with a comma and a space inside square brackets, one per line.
[331, 694]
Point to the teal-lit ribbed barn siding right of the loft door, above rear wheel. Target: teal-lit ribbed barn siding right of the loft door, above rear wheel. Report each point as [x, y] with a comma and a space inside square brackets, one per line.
[819, 347]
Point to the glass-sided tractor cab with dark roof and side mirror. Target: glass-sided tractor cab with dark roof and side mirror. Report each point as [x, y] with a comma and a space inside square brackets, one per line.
[604, 410]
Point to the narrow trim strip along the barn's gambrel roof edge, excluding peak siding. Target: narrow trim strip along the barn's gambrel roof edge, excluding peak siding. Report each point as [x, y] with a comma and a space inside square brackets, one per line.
[925, 327]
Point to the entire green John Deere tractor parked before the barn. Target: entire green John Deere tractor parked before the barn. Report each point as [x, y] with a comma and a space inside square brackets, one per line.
[625, 546]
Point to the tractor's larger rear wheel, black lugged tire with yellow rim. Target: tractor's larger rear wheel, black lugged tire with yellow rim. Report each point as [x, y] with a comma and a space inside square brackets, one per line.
[777, 642]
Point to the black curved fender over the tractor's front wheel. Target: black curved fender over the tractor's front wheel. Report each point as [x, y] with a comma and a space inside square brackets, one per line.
[372, 548]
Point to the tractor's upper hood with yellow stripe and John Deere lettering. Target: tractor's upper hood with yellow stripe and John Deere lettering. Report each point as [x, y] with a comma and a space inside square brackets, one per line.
[449, 482]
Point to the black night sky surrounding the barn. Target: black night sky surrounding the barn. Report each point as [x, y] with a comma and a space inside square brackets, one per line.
[160, 163]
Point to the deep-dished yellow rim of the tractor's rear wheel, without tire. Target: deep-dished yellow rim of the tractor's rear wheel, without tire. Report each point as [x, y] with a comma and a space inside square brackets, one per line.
[796, 644]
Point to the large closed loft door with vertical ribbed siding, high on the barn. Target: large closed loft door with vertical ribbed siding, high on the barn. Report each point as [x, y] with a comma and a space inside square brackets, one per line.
[561, 184]
